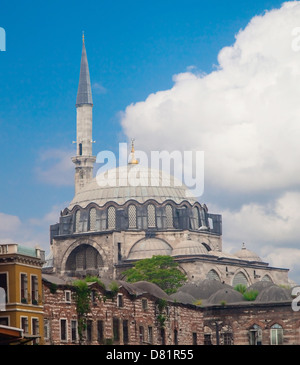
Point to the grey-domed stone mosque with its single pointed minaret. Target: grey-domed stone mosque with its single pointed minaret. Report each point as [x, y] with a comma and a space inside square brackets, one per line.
[105, 229]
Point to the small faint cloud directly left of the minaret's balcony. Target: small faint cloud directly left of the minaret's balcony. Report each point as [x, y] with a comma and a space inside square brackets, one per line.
[54, 167]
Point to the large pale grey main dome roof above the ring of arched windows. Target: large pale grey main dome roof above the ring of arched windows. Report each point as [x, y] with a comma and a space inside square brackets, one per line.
[132, 182]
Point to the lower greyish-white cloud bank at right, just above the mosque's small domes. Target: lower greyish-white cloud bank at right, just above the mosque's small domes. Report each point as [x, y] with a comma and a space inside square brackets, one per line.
[271, 230]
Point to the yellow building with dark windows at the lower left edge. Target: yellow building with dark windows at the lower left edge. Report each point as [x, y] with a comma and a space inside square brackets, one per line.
[21, 302]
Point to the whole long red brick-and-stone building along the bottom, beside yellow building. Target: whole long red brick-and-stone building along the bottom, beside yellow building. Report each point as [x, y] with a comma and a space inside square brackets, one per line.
[142, 314]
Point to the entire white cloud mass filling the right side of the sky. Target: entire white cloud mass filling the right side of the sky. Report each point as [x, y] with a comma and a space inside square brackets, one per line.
[245, 116]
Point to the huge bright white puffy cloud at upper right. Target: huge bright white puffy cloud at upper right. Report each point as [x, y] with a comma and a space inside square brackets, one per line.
[244, 115]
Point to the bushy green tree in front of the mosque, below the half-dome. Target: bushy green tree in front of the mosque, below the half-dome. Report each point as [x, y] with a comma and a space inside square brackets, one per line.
[160, 270]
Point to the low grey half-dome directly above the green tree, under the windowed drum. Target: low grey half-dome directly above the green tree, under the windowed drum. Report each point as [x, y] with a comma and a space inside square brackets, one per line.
[148, 247]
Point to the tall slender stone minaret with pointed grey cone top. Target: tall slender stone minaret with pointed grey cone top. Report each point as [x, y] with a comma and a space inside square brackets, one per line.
[84, 159]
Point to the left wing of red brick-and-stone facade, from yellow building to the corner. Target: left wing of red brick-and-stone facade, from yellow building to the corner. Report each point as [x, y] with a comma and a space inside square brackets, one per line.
[137, 314]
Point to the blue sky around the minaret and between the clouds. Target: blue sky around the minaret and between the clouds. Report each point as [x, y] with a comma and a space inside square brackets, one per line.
[134, 49]
